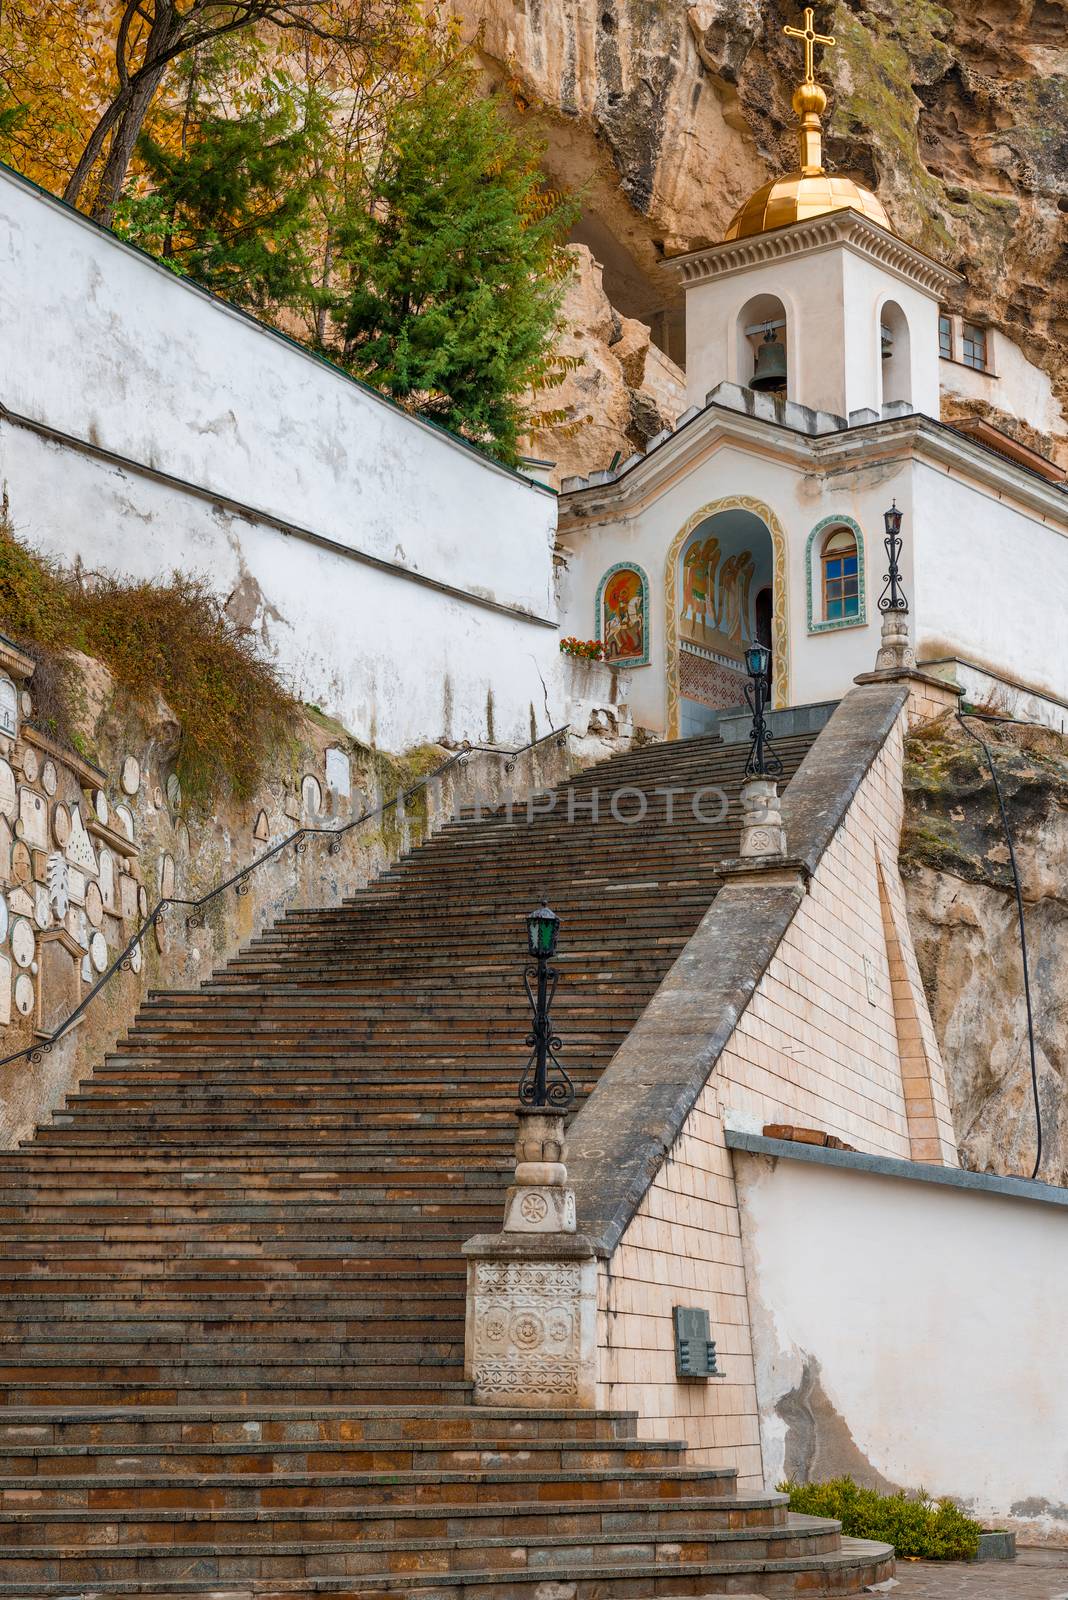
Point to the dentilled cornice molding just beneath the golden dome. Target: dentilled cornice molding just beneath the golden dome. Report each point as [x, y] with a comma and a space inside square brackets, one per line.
[803, 239]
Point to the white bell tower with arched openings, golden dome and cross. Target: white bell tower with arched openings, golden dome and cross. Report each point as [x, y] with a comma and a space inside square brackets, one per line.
[811, 295]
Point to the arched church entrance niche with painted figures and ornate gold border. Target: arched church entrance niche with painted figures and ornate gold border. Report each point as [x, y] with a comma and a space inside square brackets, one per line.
[720, 567]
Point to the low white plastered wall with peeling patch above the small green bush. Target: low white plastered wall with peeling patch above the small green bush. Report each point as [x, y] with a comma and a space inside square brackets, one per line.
[931, 1321]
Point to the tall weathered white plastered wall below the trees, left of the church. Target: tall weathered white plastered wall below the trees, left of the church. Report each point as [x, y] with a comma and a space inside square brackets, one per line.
[110, 348]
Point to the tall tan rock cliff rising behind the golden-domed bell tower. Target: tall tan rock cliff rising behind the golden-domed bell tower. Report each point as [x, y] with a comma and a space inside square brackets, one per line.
[669, 116]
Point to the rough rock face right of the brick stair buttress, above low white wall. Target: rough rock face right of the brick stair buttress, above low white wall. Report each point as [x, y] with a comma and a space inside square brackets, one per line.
[963, 916]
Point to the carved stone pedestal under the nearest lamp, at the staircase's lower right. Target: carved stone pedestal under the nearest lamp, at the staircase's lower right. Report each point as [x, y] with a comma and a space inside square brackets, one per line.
[532, 1290]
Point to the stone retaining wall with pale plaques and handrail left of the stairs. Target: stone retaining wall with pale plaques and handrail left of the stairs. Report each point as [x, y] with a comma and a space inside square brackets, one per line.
[89, 849]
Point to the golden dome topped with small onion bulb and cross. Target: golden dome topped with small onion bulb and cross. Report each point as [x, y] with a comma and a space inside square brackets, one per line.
[811, 191]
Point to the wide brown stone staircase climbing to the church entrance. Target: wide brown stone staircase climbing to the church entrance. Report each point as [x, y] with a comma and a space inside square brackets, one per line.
[233, 1310]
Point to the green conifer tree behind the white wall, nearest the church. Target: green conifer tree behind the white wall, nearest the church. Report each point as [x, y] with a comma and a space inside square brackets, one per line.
[453, 268]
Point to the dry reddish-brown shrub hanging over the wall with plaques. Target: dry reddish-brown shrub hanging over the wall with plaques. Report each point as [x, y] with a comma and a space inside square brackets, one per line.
[172, 641]
